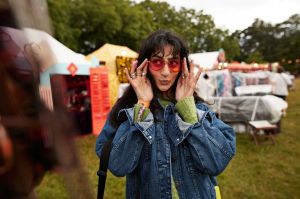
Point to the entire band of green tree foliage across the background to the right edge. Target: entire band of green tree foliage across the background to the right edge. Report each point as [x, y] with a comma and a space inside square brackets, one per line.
[86, 25]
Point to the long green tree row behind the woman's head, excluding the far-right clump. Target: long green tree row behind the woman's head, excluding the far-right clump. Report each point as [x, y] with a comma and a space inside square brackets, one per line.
[86, 25]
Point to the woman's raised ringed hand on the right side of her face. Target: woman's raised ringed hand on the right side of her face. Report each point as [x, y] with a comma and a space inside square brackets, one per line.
[187, 82]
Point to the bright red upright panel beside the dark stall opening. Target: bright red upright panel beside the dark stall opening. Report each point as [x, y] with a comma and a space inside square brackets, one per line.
[99, 97]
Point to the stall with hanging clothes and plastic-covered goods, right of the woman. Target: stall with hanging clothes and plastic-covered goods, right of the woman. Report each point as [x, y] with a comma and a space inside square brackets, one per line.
[240, 97]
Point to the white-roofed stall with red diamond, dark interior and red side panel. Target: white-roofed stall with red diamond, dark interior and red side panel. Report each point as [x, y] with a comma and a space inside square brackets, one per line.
[66, 73]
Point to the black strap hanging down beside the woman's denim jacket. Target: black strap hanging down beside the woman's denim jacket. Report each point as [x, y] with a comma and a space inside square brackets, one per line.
[103, 164]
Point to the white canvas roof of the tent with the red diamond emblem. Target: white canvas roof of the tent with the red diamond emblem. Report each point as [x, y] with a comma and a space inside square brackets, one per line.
[49, 55]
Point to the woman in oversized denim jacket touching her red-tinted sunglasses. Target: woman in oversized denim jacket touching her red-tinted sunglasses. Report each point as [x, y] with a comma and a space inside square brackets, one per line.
[162, 131]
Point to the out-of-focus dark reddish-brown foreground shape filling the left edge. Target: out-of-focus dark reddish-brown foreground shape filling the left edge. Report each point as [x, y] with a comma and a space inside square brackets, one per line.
[33, 139]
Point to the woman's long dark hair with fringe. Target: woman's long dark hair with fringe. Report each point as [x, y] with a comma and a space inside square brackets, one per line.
[153, 44]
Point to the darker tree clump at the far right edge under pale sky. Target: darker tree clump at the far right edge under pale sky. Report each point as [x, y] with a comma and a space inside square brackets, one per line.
[271, 43]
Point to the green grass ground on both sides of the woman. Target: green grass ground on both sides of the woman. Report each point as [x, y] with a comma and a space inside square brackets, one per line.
[267, 171]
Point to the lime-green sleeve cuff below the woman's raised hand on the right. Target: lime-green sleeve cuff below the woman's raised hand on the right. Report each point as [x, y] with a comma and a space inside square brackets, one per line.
[187, 109]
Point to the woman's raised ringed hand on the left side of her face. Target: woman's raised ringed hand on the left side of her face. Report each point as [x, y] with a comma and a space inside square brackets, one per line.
[138, 80]
